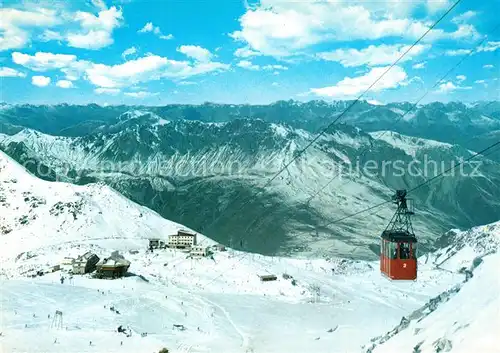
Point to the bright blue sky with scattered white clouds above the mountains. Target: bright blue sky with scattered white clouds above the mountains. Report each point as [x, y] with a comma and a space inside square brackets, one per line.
[227, 51]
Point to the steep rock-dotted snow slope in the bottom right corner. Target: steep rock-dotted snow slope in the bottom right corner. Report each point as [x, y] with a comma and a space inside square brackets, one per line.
[466, 317]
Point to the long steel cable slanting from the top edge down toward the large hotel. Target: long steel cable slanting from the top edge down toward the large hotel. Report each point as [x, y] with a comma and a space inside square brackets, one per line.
[340, 116]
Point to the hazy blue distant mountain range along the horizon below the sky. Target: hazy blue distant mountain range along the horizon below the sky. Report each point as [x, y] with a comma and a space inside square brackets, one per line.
[470, 125]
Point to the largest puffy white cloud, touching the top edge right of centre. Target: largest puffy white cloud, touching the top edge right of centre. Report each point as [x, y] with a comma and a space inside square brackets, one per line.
[278, 28]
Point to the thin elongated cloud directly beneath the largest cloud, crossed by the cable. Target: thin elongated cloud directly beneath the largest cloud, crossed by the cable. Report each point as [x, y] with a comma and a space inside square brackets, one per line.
[373, 55]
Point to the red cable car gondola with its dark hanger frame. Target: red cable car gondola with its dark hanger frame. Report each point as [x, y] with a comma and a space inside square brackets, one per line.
[398, 251]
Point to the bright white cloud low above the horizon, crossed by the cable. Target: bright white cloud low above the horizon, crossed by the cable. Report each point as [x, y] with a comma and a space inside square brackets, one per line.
[352, 87]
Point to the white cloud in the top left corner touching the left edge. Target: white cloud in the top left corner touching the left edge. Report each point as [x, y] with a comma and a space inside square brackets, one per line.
[16, 25]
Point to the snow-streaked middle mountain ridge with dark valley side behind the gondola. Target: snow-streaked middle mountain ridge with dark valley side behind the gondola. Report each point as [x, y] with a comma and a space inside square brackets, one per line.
[209, 176]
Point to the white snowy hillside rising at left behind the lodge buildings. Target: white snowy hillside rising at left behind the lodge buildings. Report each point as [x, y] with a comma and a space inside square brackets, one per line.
[39, 215]
